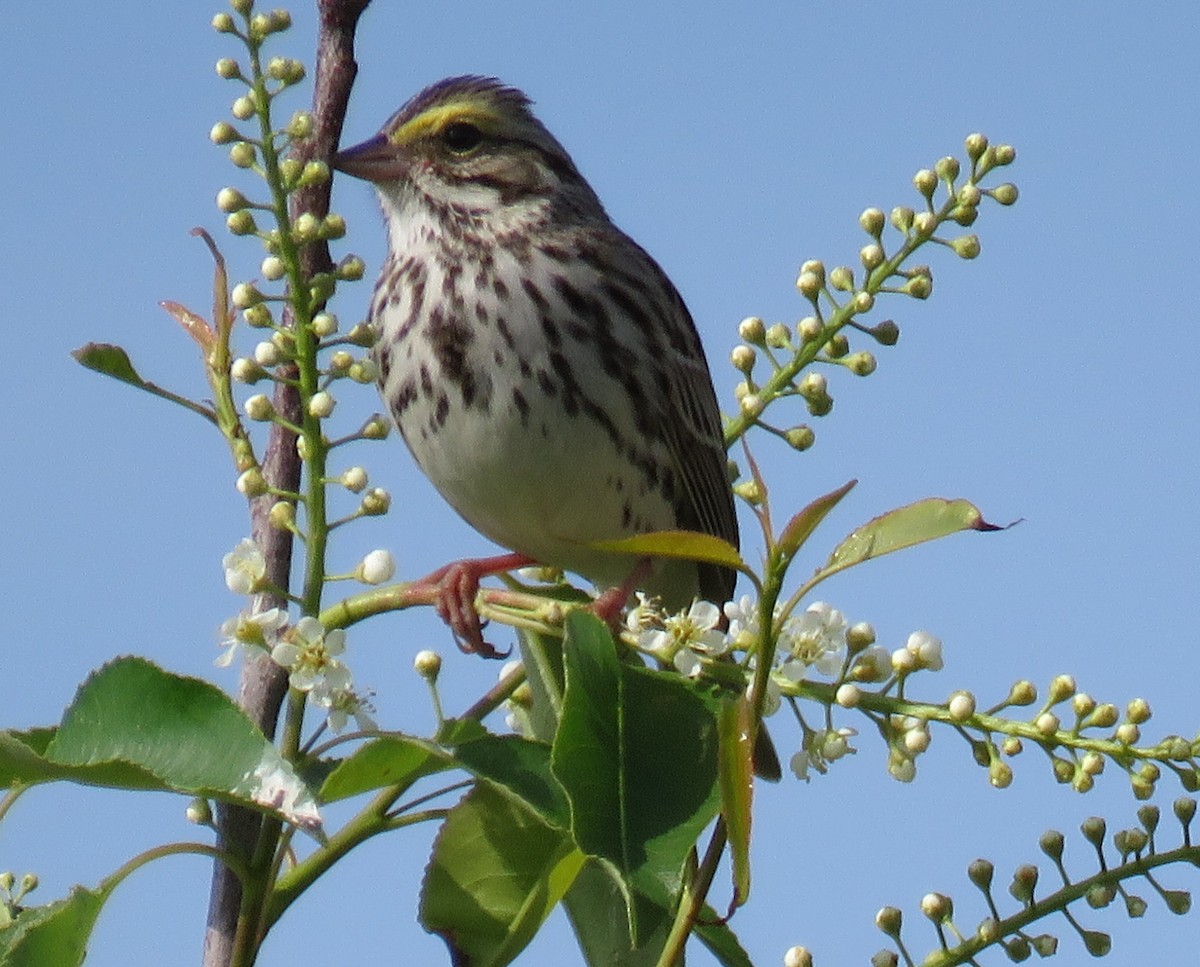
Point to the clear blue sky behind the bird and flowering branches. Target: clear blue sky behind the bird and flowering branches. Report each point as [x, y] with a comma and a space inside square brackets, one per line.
[1053, 380]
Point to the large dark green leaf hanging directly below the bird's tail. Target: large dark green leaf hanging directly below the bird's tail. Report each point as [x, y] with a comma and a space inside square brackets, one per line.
[637, 754]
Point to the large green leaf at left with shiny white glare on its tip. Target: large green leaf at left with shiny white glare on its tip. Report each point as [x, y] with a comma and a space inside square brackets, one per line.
[135, 726]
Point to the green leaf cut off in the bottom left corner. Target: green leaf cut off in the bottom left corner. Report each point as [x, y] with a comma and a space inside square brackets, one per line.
[56, 934]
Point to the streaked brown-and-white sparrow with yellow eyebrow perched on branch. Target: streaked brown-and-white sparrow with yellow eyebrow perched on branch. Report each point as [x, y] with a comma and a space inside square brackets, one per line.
[541, 367]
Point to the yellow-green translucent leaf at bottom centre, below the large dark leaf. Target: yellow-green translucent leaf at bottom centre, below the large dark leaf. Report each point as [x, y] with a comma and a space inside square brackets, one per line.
[496, 874]
